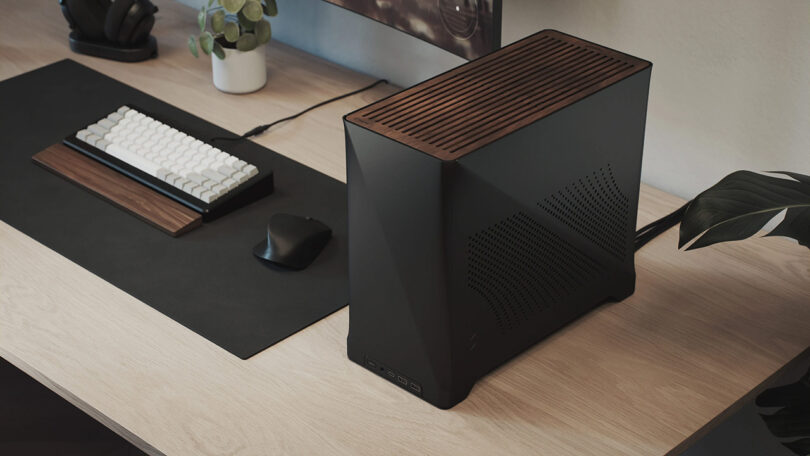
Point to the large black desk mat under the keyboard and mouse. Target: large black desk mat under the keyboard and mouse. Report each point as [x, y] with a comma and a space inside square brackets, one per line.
[206, 280]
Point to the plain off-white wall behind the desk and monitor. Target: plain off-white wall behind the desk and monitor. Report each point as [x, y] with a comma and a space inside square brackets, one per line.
[731, 78]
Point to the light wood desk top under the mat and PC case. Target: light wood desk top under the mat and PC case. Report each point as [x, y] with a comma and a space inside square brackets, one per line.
[644, 376]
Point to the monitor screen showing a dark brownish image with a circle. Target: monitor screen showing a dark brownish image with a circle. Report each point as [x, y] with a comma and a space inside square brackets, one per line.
[469, 28]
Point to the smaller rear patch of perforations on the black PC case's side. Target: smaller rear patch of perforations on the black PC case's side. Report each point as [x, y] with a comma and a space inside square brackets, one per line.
[596, 208]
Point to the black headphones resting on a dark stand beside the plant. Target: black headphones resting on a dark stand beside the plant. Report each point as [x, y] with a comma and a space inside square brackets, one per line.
[123, 22]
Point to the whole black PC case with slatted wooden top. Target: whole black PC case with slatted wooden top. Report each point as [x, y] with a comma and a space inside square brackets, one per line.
[489, 206]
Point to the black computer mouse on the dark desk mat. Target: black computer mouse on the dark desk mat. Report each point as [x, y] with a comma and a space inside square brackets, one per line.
[292, 241]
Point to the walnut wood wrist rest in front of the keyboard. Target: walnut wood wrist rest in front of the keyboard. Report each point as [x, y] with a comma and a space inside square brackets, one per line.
[148, 205]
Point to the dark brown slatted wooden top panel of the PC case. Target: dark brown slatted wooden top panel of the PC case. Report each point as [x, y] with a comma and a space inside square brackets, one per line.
[475, 104]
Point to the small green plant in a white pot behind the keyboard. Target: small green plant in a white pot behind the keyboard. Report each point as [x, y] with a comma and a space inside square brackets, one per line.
[235, 42]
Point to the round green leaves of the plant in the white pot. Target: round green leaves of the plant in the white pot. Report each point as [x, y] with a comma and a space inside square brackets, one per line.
[233, 23]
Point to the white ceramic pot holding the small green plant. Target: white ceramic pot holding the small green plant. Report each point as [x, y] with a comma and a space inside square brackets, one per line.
[240, 72]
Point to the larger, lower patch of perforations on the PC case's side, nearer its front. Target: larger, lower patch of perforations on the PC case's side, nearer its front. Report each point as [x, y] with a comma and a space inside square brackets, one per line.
[521, 268]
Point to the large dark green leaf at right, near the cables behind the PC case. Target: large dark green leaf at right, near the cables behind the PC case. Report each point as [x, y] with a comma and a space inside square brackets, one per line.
[740, 204]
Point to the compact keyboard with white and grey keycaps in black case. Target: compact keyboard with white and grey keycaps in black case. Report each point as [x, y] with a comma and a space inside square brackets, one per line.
[198, 175]
